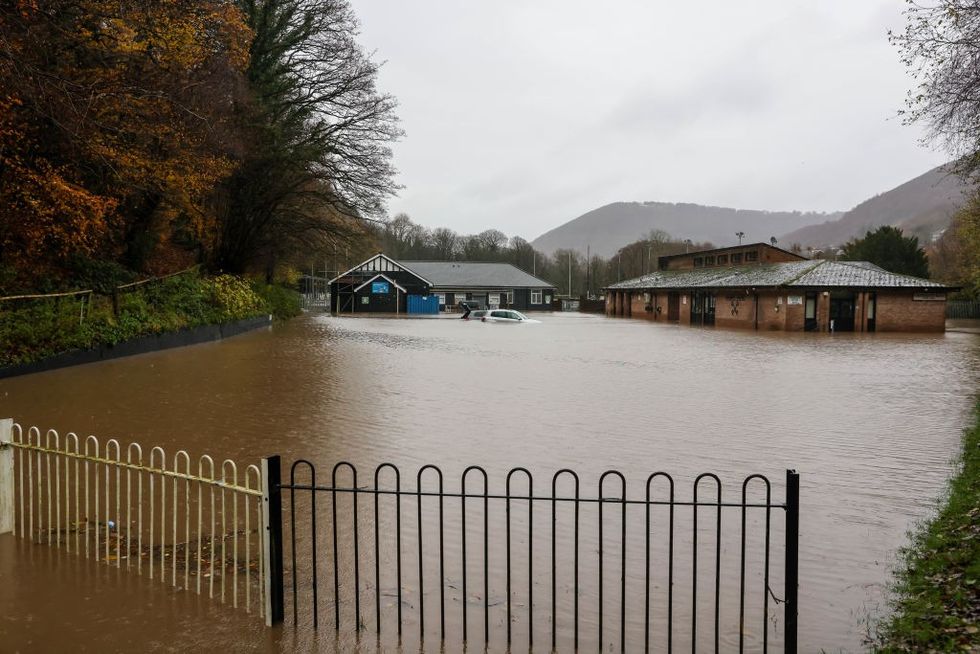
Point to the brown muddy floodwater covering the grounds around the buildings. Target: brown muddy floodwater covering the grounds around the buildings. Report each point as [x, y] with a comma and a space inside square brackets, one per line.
[871, 422]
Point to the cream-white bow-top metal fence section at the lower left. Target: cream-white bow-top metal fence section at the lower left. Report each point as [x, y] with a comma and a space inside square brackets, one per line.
[200, 530]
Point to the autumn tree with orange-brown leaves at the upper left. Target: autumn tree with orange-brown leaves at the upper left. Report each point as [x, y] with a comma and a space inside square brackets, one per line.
[114, 127]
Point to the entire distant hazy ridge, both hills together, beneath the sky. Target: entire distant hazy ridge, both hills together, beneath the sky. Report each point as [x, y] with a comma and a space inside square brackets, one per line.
[922, 206]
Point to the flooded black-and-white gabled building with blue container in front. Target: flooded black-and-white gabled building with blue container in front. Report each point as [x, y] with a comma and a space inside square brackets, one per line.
[384, 285]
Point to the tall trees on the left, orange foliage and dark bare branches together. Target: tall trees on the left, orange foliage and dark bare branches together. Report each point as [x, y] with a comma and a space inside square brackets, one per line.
[145, 136]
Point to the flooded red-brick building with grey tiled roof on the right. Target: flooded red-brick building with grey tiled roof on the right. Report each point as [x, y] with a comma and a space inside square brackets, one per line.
[759, 286]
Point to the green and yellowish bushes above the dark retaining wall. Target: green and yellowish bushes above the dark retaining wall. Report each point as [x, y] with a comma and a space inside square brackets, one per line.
[32, 330]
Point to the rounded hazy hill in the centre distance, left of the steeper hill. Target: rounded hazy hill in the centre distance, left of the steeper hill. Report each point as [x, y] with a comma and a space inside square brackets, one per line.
[612, 226]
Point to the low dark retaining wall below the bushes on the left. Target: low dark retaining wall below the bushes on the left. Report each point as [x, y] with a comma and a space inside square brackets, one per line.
[141, 345]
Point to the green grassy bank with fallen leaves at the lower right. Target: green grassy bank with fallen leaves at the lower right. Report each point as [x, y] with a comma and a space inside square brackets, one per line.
[937, 590]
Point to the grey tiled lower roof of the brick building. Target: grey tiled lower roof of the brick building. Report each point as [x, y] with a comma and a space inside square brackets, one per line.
[798, 274]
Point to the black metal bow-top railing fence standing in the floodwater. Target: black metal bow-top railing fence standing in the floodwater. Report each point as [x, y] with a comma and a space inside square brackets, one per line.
[711, 571]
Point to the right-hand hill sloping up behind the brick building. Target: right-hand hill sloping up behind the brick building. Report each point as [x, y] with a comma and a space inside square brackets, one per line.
[922, 207]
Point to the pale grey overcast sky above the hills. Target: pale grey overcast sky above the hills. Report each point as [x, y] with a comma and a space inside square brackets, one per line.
[524, 114]
